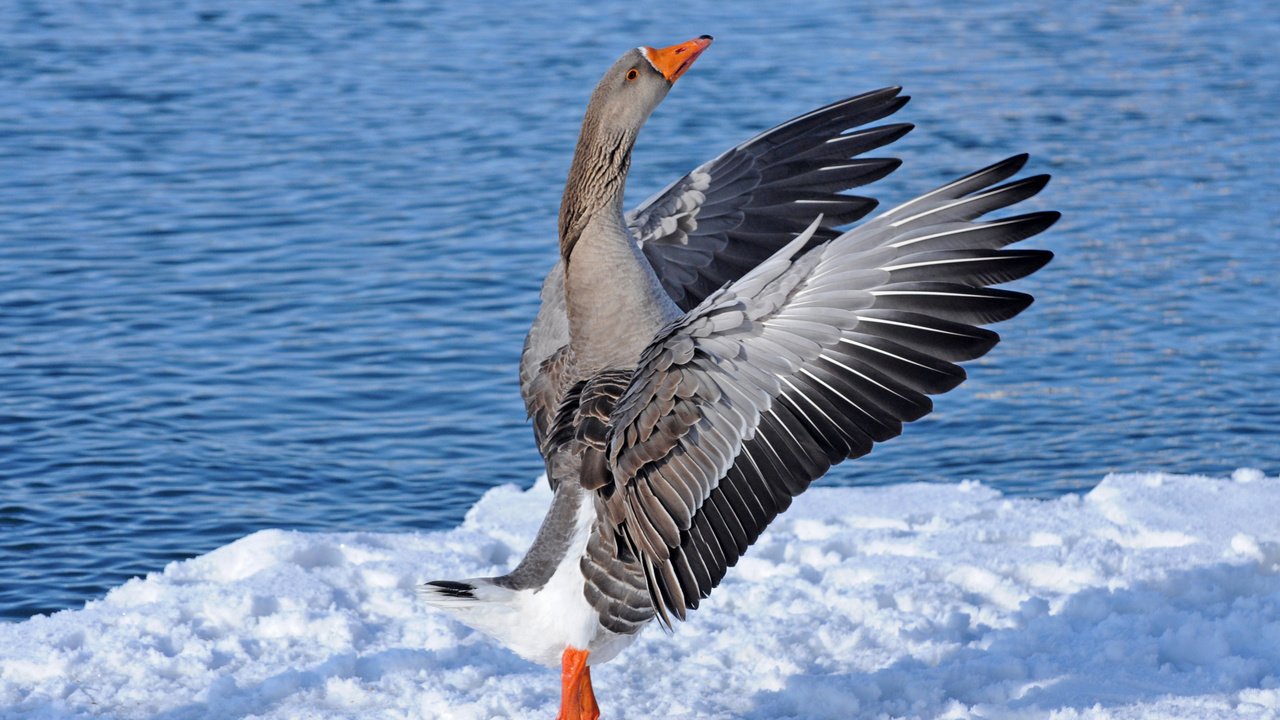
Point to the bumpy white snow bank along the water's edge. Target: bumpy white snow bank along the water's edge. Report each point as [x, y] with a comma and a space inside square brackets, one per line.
[1153, 596]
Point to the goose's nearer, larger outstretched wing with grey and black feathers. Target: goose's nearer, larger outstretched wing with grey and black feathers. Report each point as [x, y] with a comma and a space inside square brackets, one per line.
[807, 361]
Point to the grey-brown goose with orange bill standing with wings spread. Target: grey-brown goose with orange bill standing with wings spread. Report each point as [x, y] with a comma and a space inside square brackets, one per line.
[700, 362]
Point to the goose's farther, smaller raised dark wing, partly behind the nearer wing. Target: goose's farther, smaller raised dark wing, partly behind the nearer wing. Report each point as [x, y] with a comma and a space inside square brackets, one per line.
[733, 213]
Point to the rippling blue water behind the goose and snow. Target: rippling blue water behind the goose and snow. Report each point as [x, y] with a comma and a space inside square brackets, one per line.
[271, 265]
